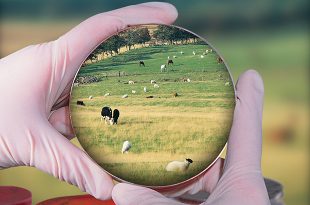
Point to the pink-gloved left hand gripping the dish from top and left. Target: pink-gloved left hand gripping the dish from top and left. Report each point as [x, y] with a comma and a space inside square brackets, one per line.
[35, 84]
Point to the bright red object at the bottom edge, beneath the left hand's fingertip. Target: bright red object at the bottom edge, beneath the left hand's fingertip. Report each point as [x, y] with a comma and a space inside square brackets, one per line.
[76, 200]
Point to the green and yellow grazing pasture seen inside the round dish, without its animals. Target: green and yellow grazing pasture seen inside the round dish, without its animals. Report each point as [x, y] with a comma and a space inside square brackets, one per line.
[193, 125]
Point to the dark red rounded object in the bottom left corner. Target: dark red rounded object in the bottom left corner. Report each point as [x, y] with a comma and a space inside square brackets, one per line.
[10, 195]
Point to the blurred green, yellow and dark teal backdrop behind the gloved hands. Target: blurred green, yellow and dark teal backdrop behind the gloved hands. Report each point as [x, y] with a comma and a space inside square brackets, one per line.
[271, 36]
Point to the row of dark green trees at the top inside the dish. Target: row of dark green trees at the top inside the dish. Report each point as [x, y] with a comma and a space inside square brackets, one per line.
[162, 35]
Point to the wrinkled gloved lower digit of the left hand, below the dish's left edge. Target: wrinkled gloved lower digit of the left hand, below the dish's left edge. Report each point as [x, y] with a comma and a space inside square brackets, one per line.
[56, 155]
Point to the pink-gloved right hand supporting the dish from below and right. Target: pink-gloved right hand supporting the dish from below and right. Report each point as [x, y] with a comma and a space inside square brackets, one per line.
[238, 180]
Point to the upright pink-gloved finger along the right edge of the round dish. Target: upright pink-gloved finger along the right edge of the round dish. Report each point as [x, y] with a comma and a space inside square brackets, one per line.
[245, 141]
